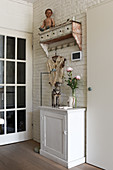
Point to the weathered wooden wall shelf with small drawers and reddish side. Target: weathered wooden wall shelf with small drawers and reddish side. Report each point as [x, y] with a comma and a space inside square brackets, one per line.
[68, 30]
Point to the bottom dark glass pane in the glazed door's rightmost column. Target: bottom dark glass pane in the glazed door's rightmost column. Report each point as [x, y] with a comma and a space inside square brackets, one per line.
[21, 120]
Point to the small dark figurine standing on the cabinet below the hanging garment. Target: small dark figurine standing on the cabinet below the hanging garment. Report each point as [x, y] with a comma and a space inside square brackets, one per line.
[56, 95]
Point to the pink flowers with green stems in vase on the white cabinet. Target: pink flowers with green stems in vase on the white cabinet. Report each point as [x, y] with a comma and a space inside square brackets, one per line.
[72, 82]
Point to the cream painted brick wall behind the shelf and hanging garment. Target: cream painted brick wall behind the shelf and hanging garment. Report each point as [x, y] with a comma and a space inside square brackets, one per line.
[62, 9]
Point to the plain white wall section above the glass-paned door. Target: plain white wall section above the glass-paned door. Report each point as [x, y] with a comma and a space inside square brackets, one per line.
[15, 15]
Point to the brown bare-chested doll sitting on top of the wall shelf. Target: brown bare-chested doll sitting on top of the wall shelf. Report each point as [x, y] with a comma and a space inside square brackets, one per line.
[48, 22]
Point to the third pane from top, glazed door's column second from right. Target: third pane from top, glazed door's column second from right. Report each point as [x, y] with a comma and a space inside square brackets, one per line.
[10, 97]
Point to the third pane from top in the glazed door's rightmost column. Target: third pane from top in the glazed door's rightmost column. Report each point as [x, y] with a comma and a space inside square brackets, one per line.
[21, 97]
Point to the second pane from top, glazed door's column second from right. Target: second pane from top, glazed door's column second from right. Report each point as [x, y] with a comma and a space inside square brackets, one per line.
[10, 72]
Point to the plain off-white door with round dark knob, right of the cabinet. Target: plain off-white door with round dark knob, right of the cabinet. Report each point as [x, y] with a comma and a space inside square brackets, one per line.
[100, 79]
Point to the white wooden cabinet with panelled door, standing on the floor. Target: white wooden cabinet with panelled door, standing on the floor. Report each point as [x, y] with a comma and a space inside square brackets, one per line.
[63, 135]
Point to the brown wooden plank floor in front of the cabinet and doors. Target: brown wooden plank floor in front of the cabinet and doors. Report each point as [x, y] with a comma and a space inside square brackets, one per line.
[21, 156]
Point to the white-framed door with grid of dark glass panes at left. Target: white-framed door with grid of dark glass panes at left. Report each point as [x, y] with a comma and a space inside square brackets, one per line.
[15, 86]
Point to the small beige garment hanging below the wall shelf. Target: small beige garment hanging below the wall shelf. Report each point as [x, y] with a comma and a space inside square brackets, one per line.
[56, 63]
